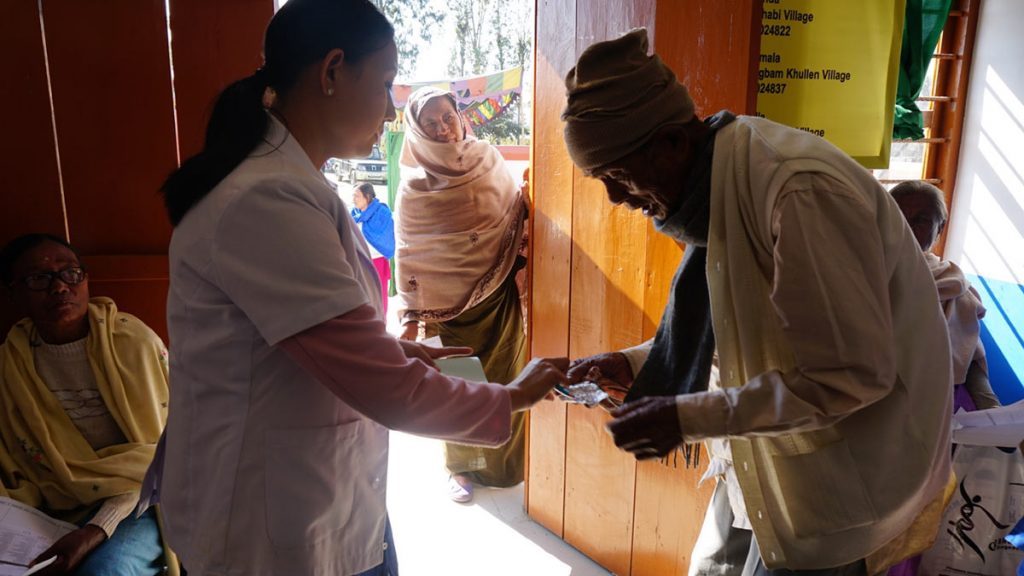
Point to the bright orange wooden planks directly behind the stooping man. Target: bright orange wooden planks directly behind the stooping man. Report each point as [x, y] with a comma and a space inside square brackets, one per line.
[601, 280]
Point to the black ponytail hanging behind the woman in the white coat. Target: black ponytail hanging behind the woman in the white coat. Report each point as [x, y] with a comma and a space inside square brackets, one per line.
[237, 126]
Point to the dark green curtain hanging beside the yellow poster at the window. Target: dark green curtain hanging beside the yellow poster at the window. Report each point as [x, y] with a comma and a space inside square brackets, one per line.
[922, 27]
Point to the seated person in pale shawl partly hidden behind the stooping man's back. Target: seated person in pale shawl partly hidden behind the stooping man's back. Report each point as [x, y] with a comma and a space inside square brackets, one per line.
[925, 210]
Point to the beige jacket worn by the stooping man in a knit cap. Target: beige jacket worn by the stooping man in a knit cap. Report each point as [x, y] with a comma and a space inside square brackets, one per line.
[835, 373]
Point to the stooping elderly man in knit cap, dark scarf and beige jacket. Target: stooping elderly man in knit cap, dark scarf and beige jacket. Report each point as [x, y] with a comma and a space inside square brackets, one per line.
[828, 418]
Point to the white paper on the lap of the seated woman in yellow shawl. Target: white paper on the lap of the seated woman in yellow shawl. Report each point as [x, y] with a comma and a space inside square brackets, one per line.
[26, 532]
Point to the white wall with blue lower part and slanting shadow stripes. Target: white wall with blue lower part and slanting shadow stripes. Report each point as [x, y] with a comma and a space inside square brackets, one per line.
[987, 234]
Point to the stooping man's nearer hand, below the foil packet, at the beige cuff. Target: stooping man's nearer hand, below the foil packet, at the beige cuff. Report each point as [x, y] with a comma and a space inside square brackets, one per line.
[649, 428]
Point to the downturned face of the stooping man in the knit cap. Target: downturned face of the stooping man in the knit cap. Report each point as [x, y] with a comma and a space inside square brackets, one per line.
[650, 180]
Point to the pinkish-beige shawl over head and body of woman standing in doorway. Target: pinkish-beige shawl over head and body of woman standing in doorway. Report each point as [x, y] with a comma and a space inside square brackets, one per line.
[460, 221]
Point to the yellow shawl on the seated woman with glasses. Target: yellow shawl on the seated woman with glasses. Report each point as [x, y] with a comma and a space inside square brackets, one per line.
[45, 461]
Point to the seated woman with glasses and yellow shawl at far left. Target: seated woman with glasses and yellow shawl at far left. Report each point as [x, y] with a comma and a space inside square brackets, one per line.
[83, 400]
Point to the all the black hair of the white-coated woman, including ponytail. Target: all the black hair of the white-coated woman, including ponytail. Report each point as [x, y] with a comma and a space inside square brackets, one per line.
[301, 34]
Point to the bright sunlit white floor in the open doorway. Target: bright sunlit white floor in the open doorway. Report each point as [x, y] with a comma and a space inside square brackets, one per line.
[491, 537]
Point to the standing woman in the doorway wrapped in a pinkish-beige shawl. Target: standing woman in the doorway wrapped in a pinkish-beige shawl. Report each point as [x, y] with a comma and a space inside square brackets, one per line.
[461, 221]
